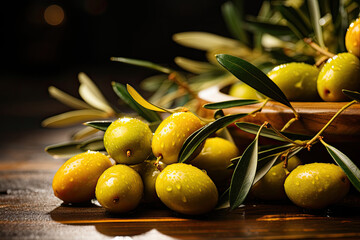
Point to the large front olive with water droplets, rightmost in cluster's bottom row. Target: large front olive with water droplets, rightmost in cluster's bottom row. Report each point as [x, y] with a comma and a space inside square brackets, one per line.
[186, 189]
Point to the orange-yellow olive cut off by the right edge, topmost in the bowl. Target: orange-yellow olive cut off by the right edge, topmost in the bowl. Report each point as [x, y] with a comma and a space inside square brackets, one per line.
[352, 38]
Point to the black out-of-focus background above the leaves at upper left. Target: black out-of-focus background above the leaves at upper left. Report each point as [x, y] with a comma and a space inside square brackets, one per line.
[35, 55]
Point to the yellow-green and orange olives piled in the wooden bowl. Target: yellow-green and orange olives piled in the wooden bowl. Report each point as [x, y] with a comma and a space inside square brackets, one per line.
[306, 83]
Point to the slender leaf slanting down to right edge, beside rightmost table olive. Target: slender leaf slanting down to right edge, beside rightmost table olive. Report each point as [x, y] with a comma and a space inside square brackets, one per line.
[350, 169]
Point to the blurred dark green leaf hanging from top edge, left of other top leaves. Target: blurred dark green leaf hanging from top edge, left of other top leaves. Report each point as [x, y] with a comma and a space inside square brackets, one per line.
[234, 22]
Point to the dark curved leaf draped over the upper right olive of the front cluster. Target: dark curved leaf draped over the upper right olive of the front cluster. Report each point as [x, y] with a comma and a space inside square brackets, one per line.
[196, 138]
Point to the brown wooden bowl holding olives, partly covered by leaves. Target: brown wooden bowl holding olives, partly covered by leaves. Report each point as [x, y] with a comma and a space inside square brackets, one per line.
[313, 115]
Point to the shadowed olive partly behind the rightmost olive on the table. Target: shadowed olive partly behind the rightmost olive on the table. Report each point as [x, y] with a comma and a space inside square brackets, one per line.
[271, 186]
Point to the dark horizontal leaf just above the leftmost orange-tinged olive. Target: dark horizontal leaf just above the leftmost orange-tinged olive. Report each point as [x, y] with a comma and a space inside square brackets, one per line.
[70, 149]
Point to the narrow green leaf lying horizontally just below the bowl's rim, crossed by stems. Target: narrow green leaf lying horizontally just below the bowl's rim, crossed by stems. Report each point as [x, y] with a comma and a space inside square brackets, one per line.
[268, 133]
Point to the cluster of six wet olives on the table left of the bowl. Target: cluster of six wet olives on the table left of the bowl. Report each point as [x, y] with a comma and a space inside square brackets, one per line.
[137, 177]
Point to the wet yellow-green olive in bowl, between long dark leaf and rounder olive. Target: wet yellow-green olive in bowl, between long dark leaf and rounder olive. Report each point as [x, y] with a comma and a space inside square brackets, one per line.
[296, 80]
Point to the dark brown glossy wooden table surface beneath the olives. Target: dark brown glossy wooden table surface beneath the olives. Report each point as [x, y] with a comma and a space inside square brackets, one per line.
[29, 210]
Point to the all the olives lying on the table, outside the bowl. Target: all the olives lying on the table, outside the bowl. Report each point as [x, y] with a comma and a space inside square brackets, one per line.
[191, 189]
